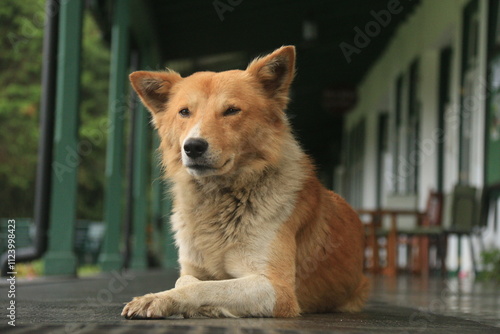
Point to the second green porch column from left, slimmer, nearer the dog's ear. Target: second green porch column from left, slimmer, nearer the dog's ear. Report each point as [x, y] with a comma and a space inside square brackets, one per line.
[111, 258]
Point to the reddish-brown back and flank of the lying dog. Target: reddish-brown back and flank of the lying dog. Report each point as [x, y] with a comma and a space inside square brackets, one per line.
[325, 239]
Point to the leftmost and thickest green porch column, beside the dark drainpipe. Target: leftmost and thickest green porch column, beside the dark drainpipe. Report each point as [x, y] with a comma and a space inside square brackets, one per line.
[60, 258]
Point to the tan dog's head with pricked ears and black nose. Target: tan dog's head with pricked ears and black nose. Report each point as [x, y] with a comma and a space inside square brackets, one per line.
[220, 123]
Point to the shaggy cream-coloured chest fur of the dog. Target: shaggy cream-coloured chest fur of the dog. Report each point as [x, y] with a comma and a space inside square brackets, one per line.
[227, 232]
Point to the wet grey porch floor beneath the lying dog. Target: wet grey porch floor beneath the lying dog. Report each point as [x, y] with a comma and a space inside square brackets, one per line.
[397, 305]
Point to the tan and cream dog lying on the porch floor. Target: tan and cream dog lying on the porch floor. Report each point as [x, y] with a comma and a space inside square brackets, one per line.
[258, 235]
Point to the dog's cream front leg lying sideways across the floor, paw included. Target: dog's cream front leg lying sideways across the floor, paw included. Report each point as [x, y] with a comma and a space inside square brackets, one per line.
[252, 295]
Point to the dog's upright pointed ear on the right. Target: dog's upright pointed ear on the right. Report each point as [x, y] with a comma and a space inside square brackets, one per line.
[275, 71]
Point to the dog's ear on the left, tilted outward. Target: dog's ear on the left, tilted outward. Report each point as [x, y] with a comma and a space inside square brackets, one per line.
[154, 87]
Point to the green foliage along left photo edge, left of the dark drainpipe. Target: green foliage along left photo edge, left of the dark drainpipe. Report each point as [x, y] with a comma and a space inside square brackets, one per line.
[21, 34]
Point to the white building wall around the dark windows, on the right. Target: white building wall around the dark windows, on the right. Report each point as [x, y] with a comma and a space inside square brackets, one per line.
[433, 26]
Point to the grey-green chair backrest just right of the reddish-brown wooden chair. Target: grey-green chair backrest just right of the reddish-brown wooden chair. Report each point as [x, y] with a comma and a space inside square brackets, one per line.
[464, 208]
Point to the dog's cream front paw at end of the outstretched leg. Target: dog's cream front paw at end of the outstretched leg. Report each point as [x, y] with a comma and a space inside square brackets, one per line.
[152, 305]
